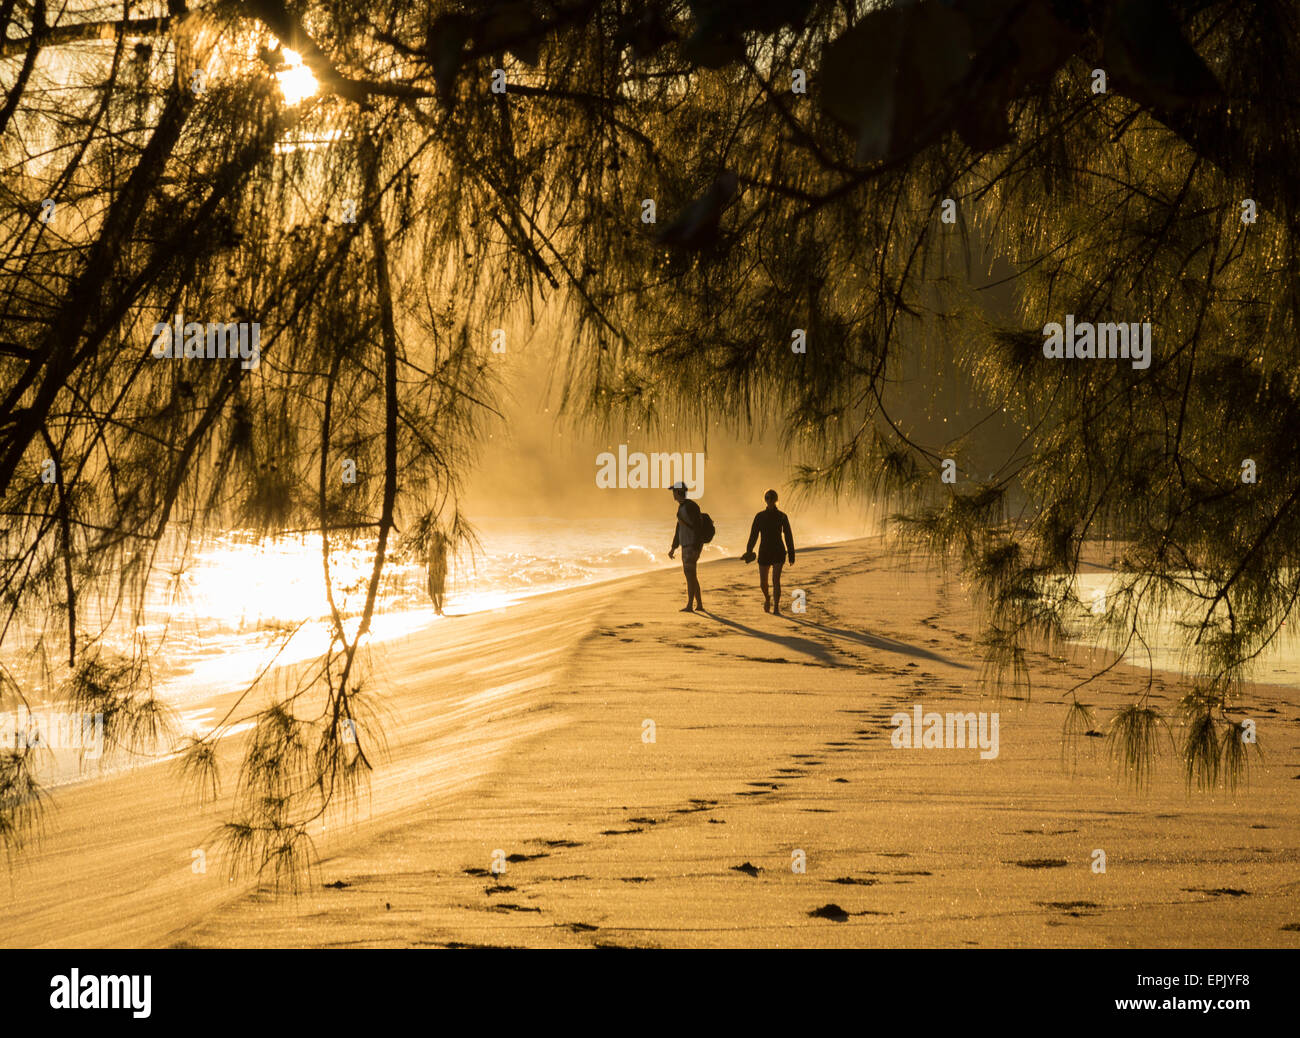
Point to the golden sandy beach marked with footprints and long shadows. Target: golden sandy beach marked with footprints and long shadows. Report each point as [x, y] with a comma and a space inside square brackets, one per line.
[656, 780]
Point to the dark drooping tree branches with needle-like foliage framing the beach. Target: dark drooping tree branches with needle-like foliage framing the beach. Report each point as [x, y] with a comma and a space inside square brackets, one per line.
[383, 228]
